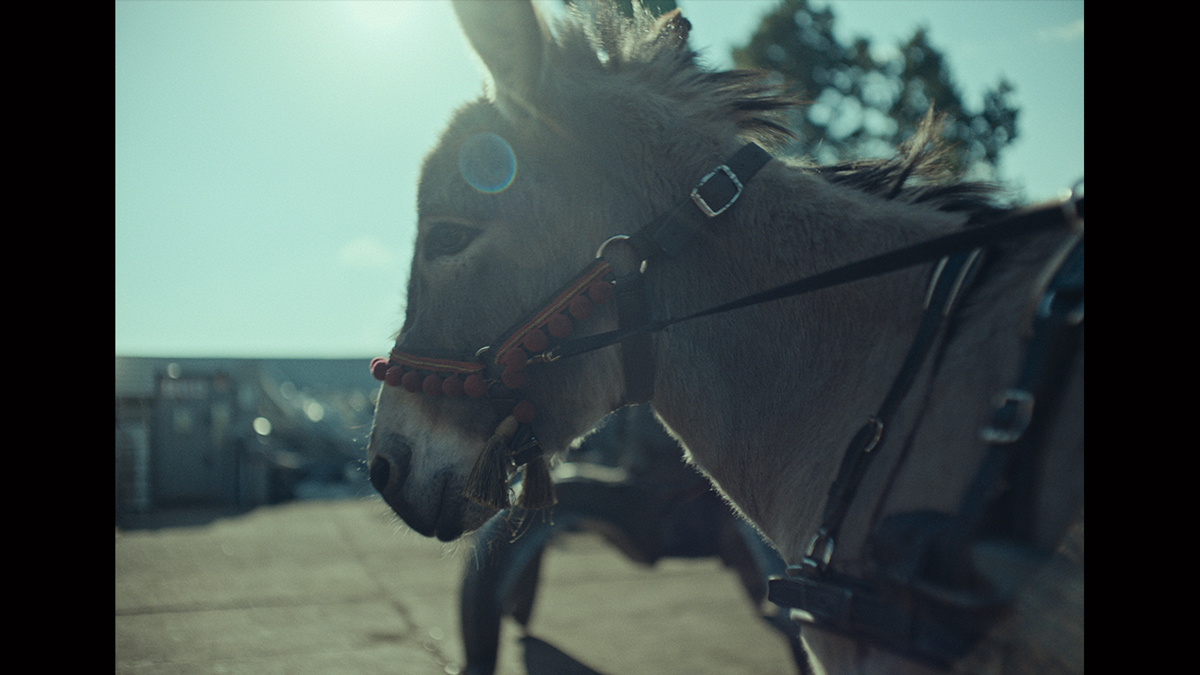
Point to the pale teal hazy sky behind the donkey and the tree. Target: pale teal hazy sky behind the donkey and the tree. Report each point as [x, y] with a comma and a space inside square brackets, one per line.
[267, 154]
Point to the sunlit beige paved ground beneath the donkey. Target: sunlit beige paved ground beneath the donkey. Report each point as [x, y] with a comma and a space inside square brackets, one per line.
[344, 588]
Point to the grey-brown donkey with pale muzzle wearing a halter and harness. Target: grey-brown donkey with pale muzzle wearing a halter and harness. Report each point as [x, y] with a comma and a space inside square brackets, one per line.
[597, 126]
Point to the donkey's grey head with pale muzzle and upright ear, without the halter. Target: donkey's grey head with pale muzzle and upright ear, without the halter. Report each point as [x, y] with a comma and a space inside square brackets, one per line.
[514, 201]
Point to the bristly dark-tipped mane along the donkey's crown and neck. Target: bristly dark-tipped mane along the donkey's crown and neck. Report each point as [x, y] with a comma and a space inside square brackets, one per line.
[656, 49]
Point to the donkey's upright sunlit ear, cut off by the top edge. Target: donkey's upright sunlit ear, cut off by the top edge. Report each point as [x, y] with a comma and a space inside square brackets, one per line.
[511, 40]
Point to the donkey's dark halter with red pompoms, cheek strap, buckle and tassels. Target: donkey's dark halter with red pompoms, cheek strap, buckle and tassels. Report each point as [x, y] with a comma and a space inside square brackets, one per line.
[499, 374]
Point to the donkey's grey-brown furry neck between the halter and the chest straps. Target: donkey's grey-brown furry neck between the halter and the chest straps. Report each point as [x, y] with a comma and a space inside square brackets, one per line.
[766, 399]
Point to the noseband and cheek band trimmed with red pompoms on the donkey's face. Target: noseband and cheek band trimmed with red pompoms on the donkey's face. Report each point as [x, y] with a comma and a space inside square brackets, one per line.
[530, 342]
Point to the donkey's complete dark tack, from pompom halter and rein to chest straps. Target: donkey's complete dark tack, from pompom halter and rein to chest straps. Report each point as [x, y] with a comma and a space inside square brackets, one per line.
[927, 600]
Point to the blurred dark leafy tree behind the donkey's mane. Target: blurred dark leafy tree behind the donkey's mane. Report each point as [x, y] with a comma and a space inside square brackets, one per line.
[862, 107]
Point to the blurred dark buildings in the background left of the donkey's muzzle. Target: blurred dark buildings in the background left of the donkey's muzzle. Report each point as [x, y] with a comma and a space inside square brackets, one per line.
[239, 433]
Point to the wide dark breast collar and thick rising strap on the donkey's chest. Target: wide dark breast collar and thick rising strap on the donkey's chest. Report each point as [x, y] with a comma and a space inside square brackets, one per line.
[931, 602]
